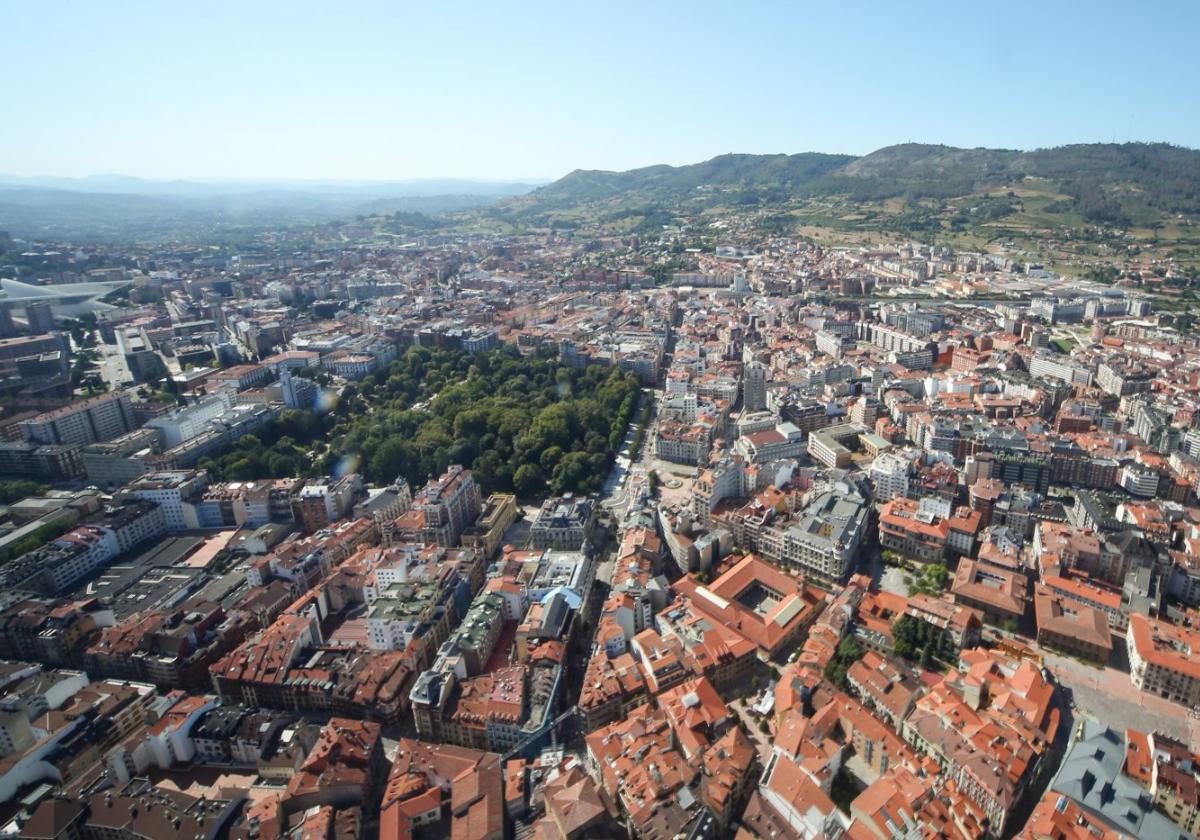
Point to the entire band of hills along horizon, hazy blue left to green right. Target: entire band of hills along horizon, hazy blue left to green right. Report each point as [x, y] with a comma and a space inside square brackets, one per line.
[1121, 184]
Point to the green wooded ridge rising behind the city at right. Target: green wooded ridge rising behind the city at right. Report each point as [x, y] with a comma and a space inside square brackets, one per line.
[1101, 182]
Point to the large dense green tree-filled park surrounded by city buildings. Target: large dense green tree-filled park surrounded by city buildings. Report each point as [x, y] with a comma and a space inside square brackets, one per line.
[523, 424]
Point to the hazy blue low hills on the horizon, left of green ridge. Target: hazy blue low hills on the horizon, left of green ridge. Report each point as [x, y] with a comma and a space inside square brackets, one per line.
[119, 207]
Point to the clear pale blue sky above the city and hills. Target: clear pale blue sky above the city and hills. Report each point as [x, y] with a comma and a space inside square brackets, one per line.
[391, 91]
